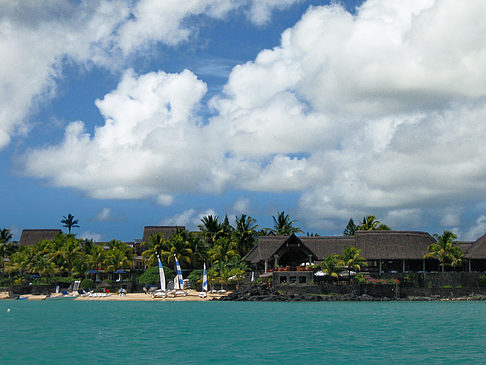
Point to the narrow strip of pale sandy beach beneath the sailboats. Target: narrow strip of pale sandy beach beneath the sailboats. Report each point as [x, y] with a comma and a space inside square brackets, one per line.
[192, 295]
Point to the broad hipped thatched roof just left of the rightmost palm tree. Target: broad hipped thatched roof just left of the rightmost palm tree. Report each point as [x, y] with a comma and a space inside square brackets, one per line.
[393, 245]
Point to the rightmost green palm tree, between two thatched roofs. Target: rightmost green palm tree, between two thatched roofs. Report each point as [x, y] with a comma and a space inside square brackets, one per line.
[445, 250]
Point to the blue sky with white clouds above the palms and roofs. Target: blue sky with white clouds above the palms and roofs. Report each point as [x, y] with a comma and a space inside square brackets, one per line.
[130, 113]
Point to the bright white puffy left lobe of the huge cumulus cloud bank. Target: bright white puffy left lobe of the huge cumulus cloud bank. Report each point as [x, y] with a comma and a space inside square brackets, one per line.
[150, 144]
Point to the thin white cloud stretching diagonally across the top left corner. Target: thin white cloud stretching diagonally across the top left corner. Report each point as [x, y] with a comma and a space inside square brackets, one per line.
[40, 37]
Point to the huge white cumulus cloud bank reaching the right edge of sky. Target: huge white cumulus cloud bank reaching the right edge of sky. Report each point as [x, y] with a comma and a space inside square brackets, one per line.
[381, 111]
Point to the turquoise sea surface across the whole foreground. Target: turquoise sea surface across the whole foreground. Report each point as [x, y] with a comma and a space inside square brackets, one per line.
[98, 332]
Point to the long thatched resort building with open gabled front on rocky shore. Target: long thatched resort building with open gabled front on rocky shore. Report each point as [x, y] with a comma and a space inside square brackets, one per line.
[384, 251]
